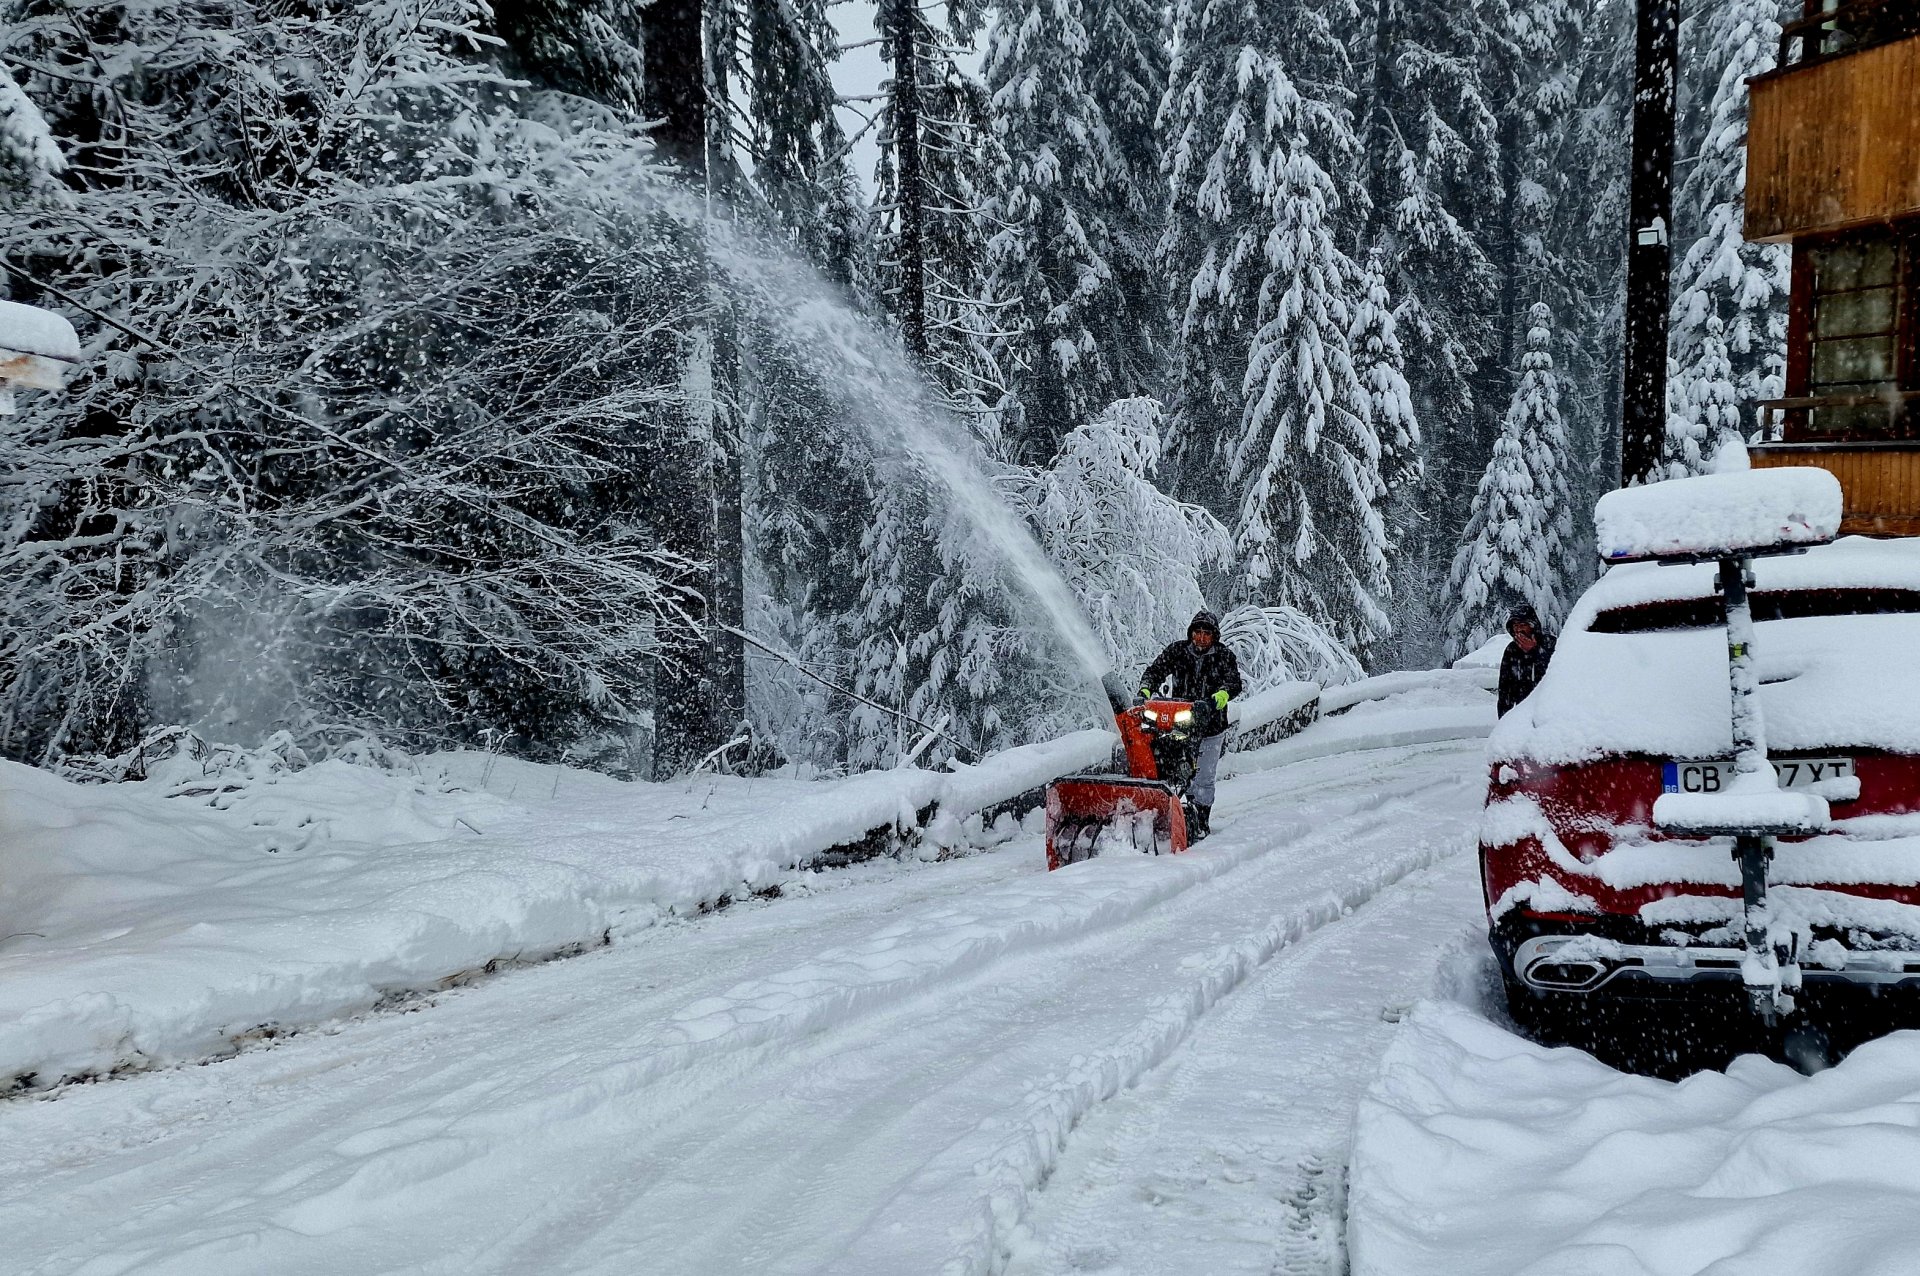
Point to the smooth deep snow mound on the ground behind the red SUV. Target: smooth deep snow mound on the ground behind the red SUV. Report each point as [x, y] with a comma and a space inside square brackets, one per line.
[1481, 1152]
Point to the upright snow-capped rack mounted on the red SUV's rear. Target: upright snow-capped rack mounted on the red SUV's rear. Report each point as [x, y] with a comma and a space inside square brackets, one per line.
[1733, 519]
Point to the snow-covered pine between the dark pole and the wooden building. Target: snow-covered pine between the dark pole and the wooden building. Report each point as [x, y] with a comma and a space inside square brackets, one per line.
[1723, 281]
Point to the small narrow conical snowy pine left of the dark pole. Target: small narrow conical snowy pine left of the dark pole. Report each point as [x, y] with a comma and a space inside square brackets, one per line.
[1522, 525]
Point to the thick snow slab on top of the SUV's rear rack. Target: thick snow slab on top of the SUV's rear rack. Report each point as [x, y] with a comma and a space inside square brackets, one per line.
[1719, 513]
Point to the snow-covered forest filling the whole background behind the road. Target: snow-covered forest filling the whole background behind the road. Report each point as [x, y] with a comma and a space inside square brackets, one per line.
[550, 377]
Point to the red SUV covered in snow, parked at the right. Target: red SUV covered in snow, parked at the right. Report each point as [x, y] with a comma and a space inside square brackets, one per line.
[1598, 918]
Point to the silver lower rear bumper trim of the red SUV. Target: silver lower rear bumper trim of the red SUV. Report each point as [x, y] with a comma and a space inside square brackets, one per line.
[1589, 964]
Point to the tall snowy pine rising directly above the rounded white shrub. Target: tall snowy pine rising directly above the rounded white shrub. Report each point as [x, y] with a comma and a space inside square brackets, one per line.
[1059, 210]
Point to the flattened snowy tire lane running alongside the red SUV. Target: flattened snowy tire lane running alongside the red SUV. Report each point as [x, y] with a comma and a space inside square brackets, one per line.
[1232, 1158]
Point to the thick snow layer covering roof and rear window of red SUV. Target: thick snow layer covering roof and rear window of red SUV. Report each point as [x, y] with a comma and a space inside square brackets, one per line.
[1829, 682]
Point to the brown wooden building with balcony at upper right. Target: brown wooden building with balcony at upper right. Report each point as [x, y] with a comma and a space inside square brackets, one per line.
[1835, 170]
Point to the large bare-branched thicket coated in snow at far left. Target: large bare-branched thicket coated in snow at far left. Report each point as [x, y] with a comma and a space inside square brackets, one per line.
[379, 452]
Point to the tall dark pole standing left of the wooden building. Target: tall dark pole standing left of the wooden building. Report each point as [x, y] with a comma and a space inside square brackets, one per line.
[1650, 252]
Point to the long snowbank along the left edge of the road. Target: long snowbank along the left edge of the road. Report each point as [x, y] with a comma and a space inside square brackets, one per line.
[162, 920]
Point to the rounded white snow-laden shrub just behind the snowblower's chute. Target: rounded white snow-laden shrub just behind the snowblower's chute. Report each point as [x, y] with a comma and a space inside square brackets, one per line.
[1134, 555]
